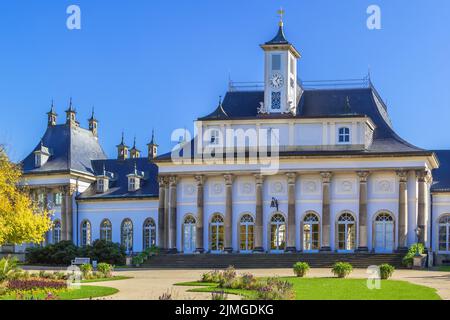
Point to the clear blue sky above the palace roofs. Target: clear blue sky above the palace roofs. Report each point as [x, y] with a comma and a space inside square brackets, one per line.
[161, 64]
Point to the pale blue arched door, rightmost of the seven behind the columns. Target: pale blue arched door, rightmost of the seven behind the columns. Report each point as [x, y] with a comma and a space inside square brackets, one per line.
[384, 232]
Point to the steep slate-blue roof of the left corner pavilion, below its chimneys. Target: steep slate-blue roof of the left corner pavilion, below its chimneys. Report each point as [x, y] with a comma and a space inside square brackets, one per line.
[71, 149]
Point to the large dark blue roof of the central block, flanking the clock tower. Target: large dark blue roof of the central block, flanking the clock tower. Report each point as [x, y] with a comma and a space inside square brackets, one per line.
[322, 103]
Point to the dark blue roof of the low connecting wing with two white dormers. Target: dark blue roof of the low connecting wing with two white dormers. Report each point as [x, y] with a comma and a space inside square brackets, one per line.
[118, 186]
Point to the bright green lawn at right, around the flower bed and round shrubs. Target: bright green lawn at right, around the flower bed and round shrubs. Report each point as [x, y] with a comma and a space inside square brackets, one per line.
[342, 289]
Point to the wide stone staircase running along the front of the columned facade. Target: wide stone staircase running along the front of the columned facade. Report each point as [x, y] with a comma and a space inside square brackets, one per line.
[268, 261]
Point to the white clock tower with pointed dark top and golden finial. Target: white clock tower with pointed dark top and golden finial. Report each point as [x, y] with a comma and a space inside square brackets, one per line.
[280, 75]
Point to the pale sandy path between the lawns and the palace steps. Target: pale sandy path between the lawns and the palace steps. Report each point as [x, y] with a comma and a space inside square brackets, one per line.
[151, 284]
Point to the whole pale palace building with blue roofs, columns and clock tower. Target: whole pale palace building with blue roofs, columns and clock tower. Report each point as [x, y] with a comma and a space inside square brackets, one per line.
[344, 181]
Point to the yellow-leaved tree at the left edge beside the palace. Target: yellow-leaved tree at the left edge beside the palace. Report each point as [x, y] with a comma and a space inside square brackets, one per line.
[21, 220]
